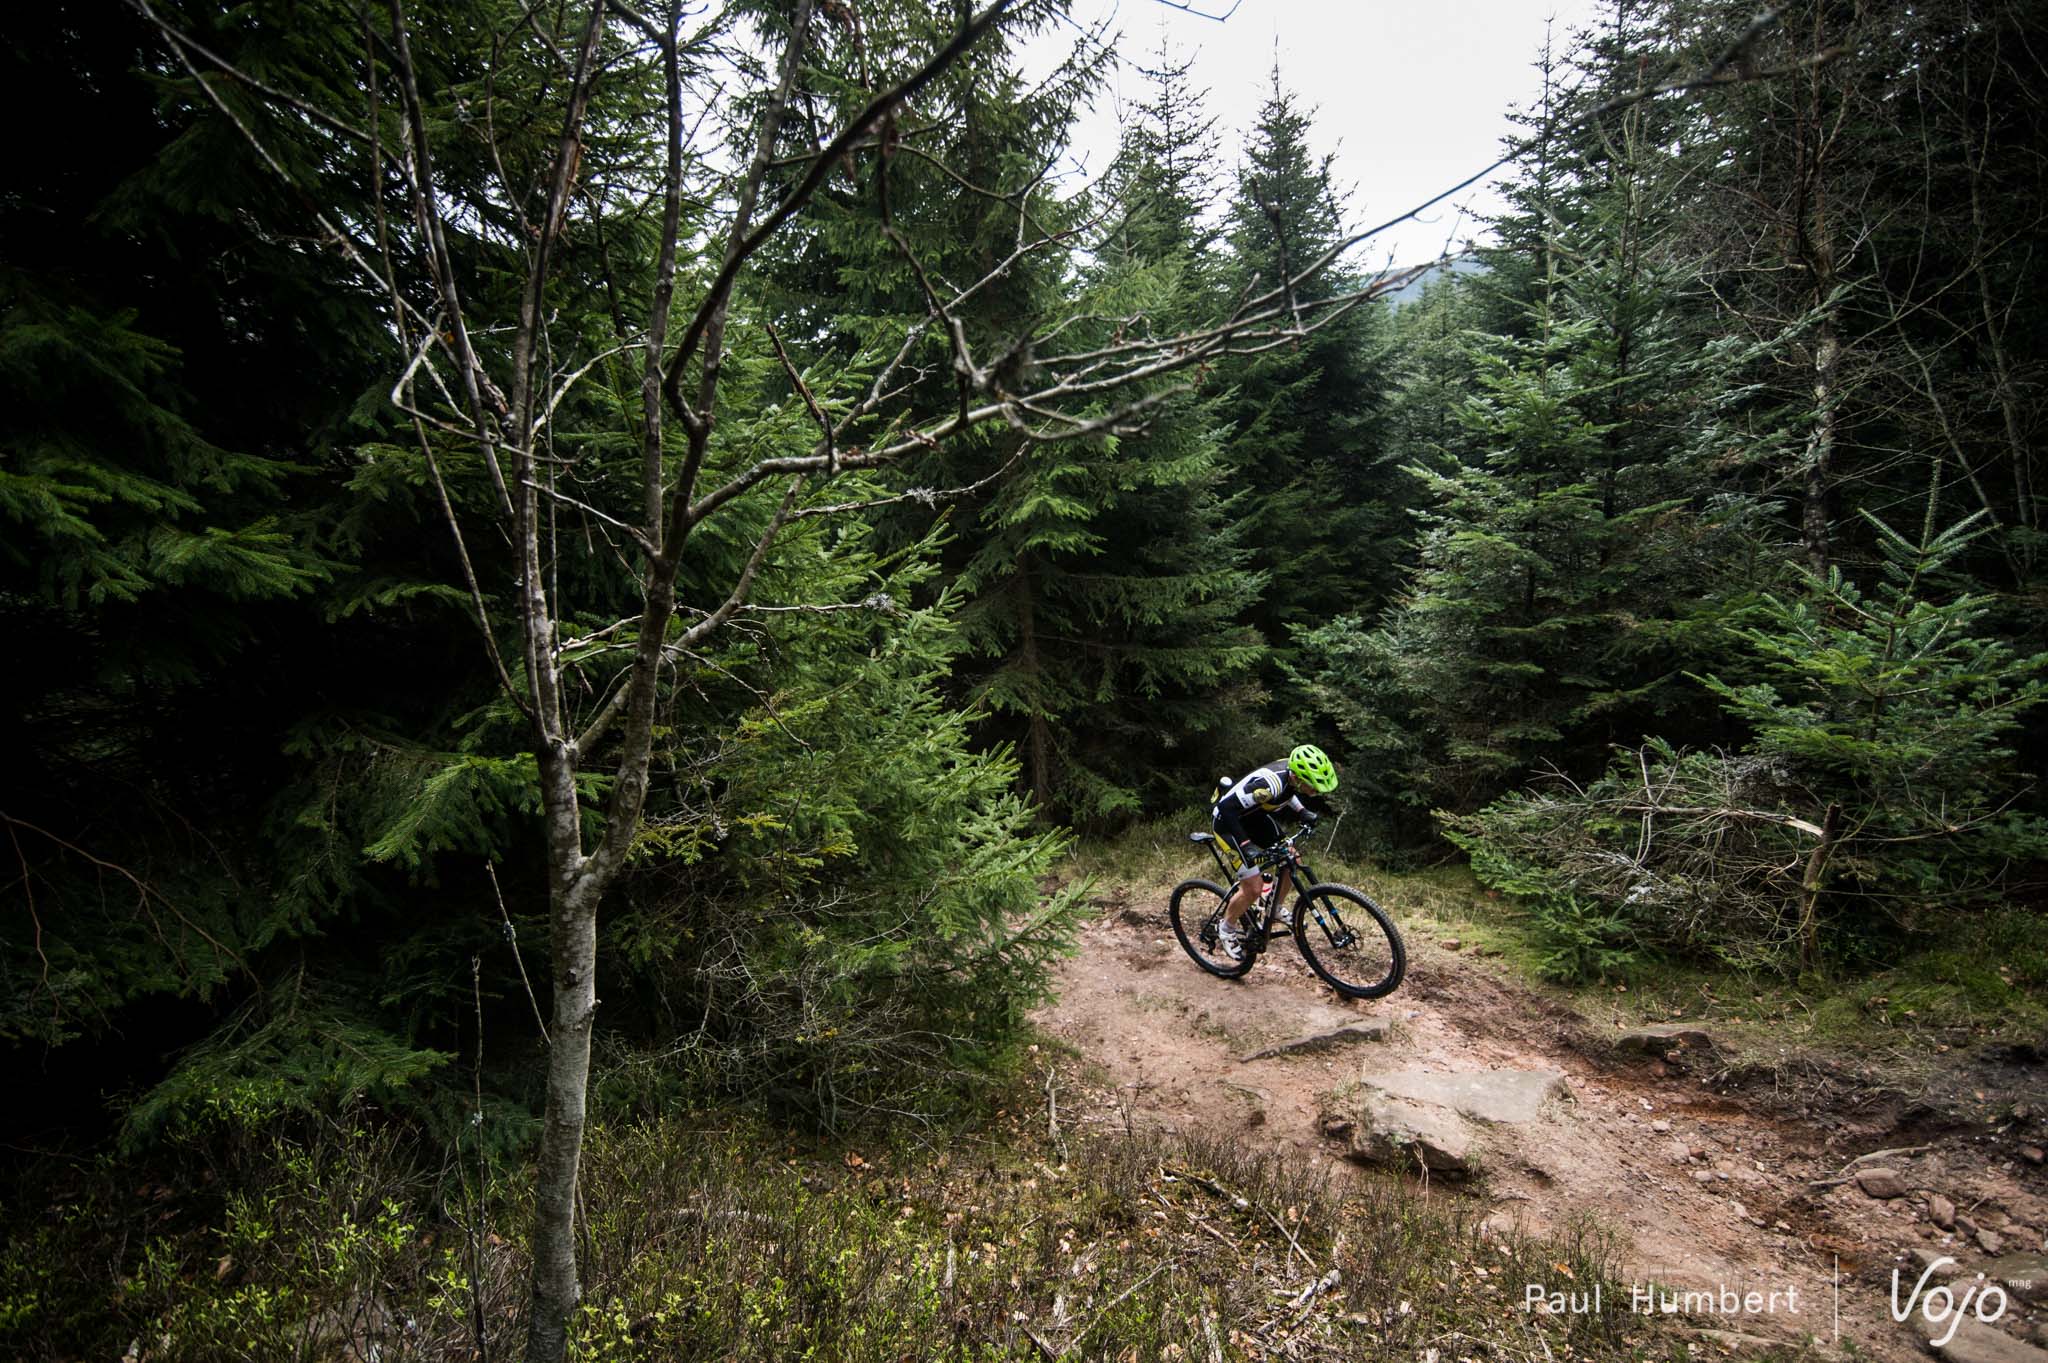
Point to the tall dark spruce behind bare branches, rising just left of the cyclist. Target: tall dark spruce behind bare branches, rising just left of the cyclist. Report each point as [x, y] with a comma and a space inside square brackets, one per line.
[1109, 578]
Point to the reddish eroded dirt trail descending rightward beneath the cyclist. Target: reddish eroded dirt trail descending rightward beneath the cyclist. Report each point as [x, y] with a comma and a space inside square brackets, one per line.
[1703, 1190]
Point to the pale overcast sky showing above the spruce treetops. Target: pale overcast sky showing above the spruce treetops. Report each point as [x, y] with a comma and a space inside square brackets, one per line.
[1410, 95]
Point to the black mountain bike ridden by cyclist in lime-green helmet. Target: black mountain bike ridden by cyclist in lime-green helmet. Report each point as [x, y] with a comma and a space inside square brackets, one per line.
[1345, 936]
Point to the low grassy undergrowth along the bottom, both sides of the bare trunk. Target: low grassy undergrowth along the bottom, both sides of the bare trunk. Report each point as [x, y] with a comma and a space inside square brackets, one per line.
[744, 1243]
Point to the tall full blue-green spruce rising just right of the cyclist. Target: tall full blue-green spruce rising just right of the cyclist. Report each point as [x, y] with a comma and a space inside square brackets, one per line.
[1568, 552]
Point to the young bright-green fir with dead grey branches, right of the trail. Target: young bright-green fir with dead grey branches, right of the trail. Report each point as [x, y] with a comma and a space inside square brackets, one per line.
[1875, 799]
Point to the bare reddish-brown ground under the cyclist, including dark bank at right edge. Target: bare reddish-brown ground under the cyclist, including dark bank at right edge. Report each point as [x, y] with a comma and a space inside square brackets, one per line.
[1721, 1163]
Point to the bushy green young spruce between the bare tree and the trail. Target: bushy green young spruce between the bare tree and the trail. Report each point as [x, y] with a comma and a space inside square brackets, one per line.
[845, 912]
